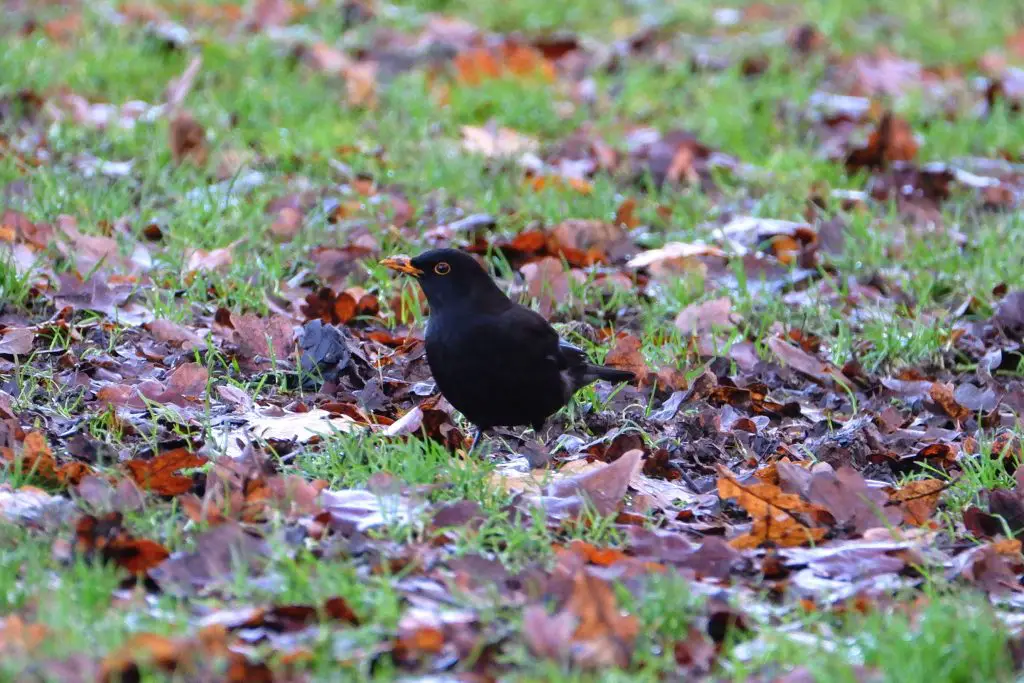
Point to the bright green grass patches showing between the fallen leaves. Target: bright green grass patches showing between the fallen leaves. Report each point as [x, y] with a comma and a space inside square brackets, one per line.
[293, 123]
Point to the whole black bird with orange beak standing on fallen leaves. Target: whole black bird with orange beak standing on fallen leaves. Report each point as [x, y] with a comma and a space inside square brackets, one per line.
[498, 363]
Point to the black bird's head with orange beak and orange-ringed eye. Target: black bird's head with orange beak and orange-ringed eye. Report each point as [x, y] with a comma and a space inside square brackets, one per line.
[449, 277]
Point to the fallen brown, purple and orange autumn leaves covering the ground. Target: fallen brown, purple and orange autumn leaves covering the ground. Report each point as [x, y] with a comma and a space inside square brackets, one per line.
[778, 464]
